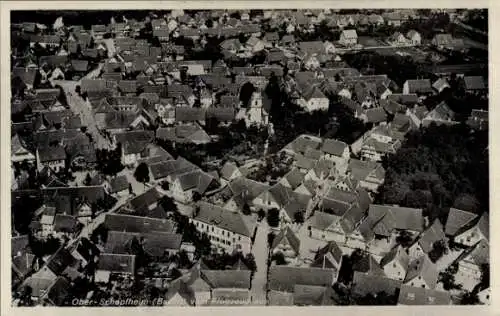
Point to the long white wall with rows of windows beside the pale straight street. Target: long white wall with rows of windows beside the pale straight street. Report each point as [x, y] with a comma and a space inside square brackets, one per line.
[223, 238]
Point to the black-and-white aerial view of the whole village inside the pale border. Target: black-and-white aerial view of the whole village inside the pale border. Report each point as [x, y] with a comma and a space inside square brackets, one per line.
[249, 157]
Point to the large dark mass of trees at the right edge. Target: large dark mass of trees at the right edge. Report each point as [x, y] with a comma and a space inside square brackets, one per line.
[438, 168]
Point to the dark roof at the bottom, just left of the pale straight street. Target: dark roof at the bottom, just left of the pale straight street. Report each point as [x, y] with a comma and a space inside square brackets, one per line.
[227, 279]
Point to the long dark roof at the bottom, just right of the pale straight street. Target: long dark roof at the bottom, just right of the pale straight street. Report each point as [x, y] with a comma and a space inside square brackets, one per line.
[284, 278]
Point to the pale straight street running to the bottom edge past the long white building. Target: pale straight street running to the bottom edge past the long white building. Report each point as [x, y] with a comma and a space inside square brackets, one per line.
[260, 252]
